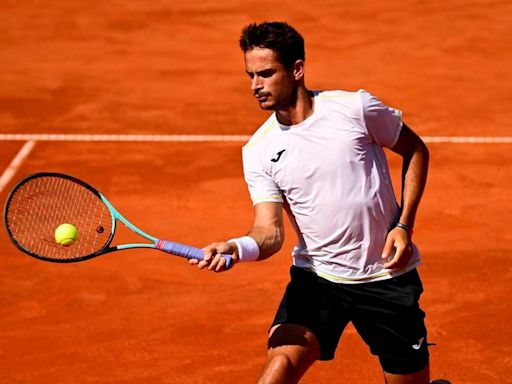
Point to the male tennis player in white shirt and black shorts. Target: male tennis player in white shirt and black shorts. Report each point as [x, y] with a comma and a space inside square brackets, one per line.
[320, 157]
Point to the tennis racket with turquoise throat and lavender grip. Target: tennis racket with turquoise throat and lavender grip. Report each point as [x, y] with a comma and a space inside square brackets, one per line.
[41, 202]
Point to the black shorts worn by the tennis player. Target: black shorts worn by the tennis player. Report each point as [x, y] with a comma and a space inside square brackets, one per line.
[385, 313]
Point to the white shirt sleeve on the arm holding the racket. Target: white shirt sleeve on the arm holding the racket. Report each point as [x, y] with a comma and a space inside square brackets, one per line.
[262, 187]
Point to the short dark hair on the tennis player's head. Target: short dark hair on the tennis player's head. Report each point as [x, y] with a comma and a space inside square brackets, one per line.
[280, 37]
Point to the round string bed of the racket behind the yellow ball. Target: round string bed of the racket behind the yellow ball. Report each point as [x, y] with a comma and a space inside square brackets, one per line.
[41, 204]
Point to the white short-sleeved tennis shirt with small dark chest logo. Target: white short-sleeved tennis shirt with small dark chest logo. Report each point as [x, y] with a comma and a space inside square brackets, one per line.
[331, 173]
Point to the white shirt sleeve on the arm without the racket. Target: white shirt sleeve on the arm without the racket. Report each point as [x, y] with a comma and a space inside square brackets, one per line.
[383, 123]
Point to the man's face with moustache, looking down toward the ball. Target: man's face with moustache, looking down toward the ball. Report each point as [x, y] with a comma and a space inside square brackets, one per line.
[272, 84]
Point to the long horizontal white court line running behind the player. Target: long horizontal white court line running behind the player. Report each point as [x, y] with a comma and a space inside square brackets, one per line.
[218, 138]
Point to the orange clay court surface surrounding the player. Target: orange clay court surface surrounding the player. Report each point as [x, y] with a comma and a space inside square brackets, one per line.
[174, 68]
